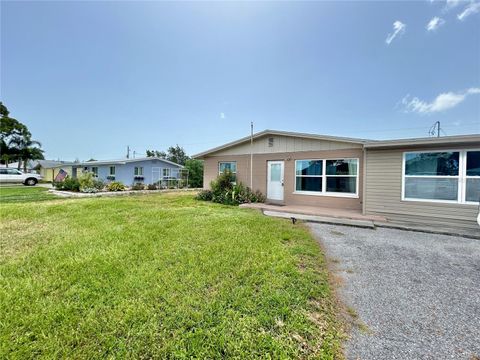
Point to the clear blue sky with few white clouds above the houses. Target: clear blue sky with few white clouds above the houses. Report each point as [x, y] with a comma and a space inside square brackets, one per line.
[90, 78]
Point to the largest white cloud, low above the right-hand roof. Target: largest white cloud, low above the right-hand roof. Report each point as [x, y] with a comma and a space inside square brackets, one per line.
[442, 102]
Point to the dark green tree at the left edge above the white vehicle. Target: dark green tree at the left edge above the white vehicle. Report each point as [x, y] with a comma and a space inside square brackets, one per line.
[16, 140]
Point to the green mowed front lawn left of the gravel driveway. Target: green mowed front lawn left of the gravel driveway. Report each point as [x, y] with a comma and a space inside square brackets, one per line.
[160, 276]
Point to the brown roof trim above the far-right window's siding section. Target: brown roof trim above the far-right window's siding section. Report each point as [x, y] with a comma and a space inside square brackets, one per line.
[444, 140]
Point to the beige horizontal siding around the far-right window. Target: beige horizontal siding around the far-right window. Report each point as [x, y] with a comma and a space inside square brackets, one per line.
[383, 191]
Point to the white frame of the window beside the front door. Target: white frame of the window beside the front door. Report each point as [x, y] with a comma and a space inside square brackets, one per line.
[324, 176]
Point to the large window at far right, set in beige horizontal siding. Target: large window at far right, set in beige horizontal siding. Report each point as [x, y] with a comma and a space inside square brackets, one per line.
[445, 176]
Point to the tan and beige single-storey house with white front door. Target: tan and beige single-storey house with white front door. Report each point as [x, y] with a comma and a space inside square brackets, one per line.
[424, 180]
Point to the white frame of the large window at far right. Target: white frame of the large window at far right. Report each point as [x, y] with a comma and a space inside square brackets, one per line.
[461, 177]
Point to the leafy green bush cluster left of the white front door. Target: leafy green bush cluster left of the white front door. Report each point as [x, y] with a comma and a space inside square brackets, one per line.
[225, 191]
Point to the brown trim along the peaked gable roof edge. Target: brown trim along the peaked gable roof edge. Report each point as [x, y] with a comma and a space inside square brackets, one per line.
[280, 133]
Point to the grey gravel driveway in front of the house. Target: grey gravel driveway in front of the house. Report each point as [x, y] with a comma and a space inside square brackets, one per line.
[417, 294]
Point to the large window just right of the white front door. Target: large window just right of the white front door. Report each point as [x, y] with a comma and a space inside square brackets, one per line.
[337, 177]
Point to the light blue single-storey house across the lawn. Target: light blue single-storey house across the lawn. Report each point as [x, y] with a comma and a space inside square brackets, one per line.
[149, 170]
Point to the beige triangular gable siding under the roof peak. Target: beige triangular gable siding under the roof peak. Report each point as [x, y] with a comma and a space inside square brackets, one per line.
[283, 144]
